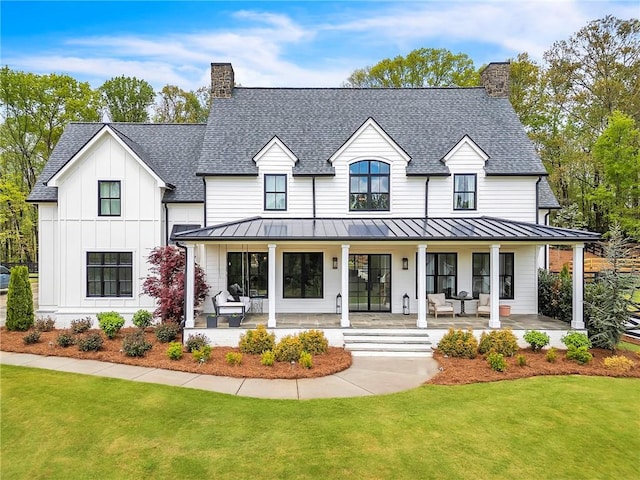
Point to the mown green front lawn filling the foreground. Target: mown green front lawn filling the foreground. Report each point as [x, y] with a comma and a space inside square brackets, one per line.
[60, 425]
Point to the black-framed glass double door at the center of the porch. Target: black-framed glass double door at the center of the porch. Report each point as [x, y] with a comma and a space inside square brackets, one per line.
[370, 283]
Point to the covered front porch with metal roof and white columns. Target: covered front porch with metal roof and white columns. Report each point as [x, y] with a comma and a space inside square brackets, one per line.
[367, 268]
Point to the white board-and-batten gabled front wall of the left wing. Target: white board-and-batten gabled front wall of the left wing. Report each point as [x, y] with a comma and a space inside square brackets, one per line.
[81, 229]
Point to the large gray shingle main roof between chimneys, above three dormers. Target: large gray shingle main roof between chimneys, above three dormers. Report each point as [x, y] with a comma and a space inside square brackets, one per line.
[314, 123]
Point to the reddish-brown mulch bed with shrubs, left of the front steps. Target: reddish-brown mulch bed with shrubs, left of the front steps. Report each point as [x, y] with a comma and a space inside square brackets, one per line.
[335, 360]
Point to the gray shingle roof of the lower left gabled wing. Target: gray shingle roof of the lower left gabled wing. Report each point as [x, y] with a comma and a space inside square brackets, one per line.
[170, 150]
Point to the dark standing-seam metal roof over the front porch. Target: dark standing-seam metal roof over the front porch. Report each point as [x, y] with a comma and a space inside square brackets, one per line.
[385, 229]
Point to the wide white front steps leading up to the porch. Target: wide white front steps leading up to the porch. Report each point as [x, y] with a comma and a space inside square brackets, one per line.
[388, 342]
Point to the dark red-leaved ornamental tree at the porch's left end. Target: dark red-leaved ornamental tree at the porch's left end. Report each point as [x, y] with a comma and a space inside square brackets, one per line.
[166, 283]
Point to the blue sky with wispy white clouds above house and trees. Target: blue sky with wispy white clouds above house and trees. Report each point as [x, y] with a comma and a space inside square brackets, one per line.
[275, 43]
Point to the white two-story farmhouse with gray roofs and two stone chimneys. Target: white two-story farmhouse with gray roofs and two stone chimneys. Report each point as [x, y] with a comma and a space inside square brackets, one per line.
[314, 200]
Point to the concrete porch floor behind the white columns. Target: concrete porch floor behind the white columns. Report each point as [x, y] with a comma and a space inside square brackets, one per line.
[391, 320]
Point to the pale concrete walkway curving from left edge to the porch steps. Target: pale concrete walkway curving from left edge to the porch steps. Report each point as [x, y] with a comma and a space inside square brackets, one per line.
[366, 376]
